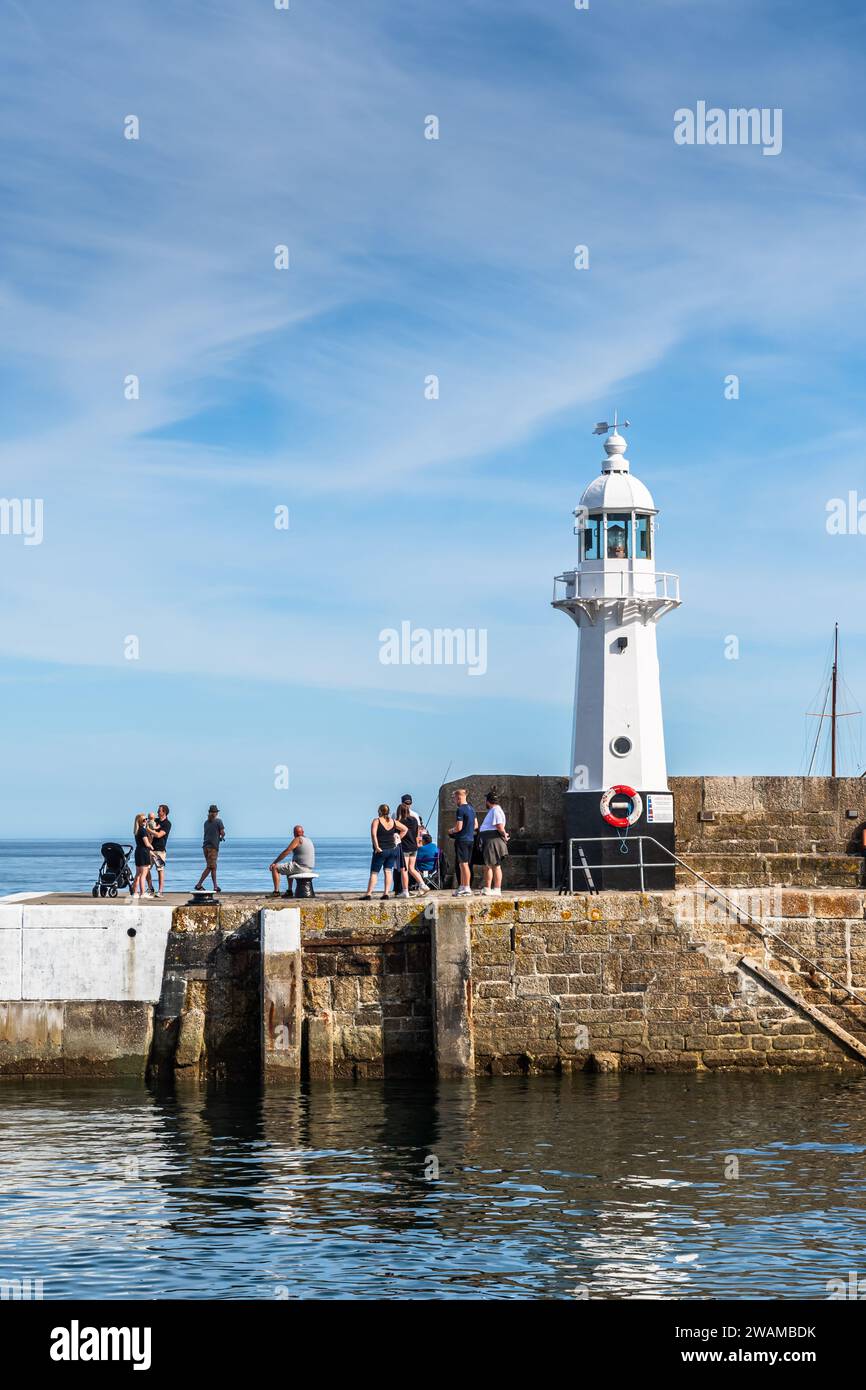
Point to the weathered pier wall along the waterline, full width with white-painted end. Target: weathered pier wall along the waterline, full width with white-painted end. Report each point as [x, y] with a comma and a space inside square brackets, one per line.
[519, 985]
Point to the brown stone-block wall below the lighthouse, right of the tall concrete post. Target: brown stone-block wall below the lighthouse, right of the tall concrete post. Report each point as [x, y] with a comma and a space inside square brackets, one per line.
[653, 982]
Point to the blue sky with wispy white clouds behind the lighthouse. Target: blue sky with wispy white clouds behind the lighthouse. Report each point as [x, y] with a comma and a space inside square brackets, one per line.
[305, 389]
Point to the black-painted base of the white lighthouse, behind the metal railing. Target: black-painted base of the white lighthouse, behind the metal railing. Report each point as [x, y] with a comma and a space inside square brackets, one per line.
[632, 860]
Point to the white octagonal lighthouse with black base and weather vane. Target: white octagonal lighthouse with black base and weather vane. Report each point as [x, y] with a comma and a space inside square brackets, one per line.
[619, 810]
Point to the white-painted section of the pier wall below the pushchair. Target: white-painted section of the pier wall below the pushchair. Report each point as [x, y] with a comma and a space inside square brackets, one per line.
[83, 951]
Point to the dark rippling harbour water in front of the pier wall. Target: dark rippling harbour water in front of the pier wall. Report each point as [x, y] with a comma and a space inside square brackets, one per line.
[586, 1186]
